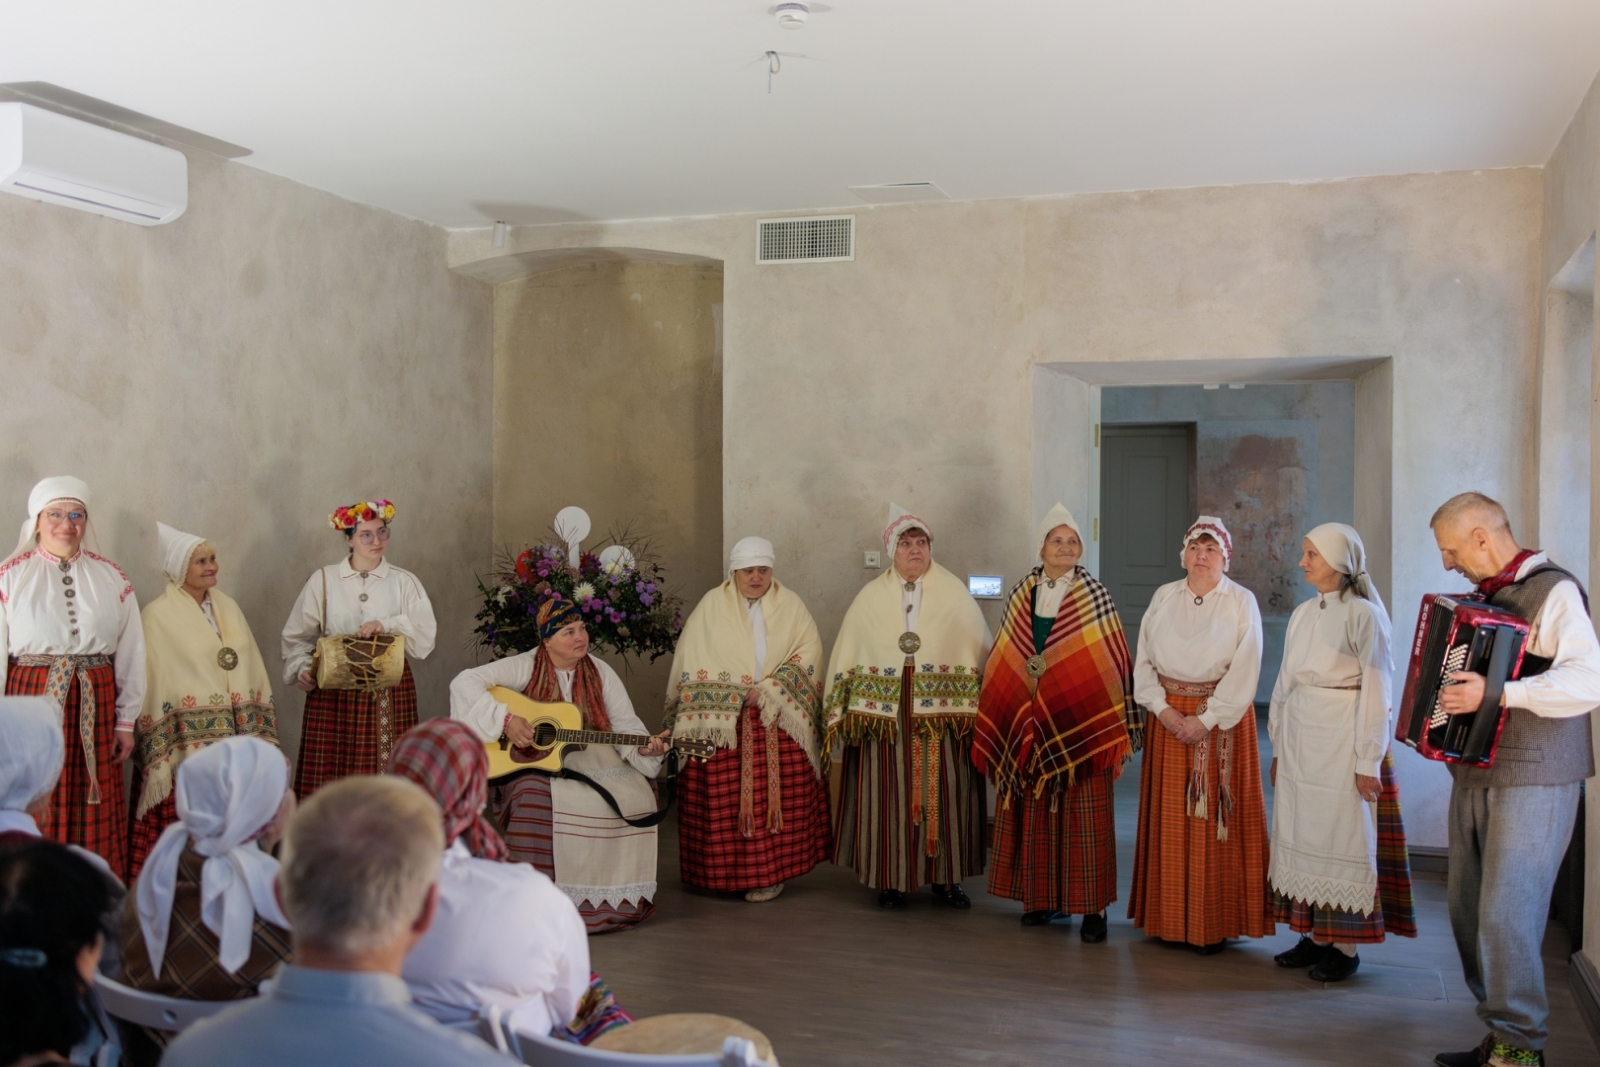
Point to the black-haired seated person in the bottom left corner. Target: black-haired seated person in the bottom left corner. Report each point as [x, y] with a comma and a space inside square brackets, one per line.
[52, 903]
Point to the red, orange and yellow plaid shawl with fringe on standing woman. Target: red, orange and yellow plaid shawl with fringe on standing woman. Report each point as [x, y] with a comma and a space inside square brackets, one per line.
[1078, 713]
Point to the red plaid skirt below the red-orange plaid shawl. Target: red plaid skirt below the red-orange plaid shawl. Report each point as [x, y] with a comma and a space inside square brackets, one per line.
[1058, 852]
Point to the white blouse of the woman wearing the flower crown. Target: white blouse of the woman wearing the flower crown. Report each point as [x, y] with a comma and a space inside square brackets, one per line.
[386, 594]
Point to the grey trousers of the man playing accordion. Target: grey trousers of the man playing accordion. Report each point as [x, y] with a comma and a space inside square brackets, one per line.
[1506, 845]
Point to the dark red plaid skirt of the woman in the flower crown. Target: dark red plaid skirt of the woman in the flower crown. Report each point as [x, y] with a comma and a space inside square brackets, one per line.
[348, 732]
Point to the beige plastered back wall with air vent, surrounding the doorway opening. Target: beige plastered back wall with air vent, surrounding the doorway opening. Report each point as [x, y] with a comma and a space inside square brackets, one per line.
[908, 374]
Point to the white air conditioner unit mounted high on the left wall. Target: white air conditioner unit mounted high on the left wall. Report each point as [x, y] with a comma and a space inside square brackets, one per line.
[79, 166]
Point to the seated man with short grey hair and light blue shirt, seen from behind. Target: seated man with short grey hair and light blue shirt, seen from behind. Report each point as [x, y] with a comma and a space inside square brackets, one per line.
[359, 887]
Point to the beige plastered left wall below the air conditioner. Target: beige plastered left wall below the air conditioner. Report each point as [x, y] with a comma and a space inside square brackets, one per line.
[242, 372]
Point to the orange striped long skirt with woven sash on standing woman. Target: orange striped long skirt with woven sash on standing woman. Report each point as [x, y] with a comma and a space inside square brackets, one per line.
[1194, 881]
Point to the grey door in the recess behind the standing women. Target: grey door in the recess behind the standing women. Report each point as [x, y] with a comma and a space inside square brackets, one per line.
[1146, 506]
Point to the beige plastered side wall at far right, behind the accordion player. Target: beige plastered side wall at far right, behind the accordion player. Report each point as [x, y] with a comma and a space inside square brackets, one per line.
[1572, 212]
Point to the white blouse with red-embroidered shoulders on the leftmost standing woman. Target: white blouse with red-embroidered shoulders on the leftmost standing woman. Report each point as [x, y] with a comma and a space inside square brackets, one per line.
[79, 607]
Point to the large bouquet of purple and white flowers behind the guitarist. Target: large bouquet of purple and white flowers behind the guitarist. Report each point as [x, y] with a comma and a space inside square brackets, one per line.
[622, 594]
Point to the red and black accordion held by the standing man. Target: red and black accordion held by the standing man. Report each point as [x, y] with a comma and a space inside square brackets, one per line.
[1458, 634]
